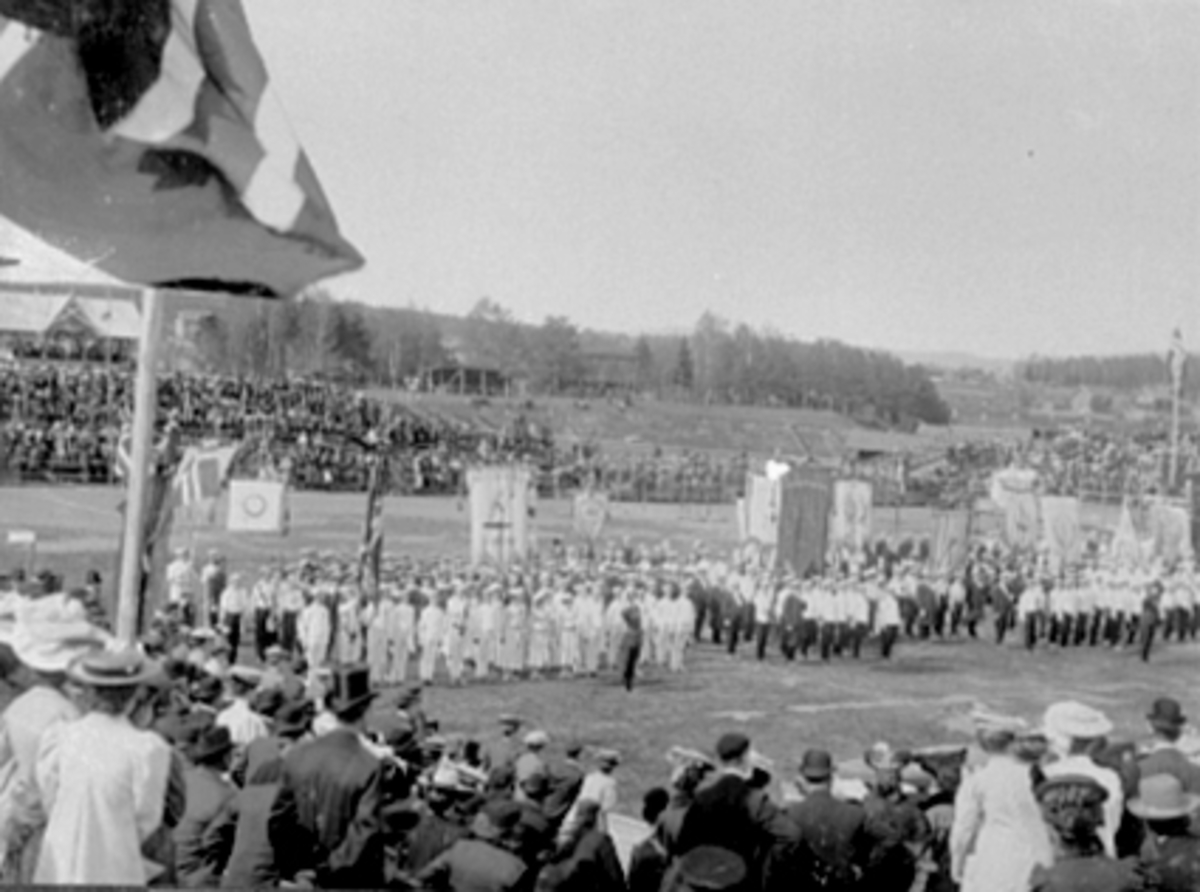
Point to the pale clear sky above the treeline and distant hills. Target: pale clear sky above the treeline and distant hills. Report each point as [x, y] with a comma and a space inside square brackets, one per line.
[998, 178]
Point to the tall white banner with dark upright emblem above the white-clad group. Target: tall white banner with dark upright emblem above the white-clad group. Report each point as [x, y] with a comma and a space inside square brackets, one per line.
[500, 514]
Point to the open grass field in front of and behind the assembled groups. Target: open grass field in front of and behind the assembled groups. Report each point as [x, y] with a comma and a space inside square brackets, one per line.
[920, 698]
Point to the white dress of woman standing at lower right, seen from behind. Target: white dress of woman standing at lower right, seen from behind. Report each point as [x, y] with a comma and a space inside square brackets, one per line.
[999, 836]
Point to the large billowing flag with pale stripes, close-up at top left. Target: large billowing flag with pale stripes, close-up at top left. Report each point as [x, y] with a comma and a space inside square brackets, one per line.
[145, 139]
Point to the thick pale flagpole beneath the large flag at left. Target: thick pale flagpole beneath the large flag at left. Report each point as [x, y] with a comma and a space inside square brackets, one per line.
[146, 408]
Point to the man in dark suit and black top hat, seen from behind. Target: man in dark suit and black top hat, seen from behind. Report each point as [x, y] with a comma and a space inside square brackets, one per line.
[327, 824]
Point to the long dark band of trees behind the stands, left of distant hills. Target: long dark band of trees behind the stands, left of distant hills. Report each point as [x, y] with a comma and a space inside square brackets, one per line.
[719, 362]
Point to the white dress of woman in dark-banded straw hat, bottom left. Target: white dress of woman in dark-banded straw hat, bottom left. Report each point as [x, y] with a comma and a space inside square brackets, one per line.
[104, 785]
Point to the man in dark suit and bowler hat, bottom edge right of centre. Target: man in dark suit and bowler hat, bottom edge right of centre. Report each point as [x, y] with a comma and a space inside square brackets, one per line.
[826, 843]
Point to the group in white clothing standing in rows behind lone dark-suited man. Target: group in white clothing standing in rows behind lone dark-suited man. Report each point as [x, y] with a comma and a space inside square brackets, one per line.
[463, 627]
